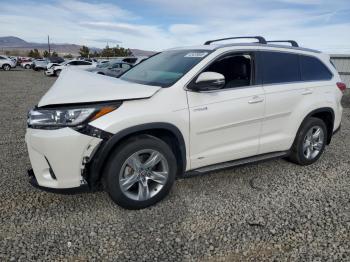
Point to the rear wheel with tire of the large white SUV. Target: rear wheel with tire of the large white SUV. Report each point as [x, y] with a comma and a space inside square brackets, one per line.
[308, 146]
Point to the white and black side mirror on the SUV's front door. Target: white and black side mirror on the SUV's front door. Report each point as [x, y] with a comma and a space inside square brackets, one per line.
[207, 81]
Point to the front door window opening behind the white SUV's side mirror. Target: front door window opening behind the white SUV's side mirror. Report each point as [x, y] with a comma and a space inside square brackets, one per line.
[236, 68]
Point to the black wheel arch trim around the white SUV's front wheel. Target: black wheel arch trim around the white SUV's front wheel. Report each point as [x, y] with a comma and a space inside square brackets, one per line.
[165, 131]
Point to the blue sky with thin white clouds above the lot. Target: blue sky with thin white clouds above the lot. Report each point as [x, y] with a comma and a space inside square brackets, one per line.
[161, 24]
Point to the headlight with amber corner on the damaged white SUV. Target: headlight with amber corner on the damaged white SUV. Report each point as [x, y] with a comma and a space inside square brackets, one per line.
[66, 117]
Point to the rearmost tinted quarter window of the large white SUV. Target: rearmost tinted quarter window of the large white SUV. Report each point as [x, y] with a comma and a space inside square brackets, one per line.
[312, 69]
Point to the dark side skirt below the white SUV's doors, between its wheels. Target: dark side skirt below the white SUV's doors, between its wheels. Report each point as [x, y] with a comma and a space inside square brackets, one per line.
[234, 163]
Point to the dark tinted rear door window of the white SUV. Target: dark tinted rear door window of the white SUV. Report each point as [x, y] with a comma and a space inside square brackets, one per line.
[280, 67]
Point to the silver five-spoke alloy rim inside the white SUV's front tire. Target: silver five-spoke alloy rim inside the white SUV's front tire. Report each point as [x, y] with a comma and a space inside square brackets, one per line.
[143, 174]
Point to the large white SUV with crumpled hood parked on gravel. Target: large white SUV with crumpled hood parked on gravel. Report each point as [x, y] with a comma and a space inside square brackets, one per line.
[183, 111]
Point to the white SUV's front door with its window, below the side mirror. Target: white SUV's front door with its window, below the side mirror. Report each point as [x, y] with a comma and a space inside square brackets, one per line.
[225, 124]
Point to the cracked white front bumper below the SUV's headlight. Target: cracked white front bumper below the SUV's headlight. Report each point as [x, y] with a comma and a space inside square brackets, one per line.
[57, 156]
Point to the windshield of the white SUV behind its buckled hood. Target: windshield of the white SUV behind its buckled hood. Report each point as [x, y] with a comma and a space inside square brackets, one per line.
[166, 68]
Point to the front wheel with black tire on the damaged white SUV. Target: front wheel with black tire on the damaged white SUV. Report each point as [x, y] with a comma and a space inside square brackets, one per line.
[137, 173]
